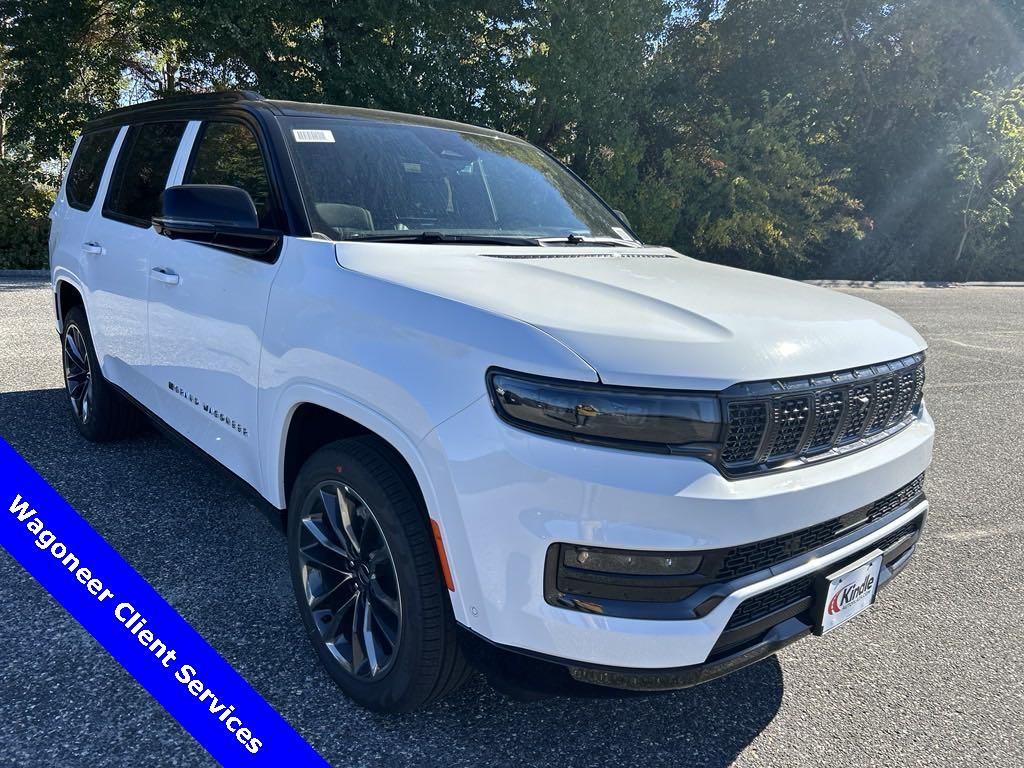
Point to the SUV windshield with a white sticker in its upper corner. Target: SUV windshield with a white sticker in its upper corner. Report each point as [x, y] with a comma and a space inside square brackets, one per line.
[364, 179]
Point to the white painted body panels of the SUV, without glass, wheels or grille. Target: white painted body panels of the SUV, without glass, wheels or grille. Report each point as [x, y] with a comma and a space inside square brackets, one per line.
[399, 338]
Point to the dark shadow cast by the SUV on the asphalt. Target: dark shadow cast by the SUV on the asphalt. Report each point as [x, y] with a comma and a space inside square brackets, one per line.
[210, 550]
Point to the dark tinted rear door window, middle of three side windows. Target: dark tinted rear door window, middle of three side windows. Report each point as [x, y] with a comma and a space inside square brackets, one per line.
[141, 176]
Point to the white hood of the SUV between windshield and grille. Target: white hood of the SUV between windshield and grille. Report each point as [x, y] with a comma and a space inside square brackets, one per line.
[651, 317]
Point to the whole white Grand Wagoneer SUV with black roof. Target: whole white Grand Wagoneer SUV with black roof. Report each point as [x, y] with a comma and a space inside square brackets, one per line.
[502, 429]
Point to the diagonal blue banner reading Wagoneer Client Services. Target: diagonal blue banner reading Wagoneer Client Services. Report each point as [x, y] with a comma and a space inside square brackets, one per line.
[139, 628]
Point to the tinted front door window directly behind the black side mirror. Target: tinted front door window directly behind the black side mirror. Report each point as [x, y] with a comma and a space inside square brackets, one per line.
[229, 154]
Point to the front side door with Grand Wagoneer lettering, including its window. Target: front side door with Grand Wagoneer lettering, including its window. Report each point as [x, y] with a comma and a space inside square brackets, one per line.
[207, 309]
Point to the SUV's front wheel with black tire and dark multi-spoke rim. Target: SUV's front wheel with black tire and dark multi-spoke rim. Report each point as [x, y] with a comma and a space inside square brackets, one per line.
[359, 498]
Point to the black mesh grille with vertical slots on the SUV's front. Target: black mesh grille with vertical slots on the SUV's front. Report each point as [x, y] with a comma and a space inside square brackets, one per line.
[777, 424]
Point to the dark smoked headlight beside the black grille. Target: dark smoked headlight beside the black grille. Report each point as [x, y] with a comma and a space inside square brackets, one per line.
[645, 419]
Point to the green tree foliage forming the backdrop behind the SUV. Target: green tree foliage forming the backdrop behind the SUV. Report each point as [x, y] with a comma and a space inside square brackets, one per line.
[806, 138]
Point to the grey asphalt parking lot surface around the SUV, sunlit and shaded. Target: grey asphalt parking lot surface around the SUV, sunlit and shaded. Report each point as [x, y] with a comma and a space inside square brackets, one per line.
[933, 675]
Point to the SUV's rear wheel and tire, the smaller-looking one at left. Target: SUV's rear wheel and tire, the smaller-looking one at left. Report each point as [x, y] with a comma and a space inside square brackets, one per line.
[101, 412]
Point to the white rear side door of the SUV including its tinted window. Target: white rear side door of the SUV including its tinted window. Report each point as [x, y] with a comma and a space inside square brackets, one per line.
[121, 242]
